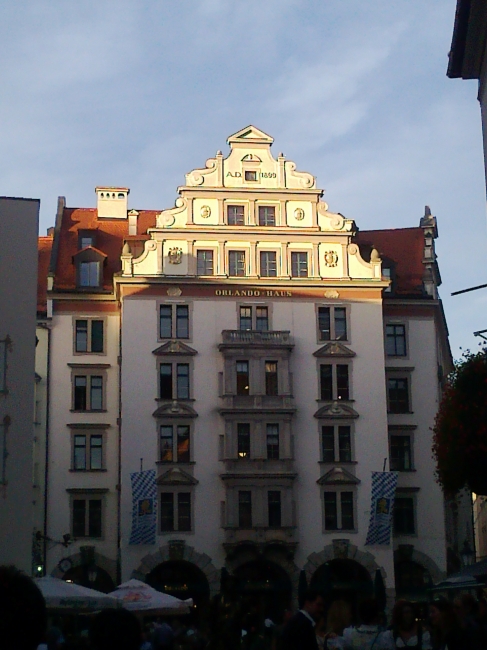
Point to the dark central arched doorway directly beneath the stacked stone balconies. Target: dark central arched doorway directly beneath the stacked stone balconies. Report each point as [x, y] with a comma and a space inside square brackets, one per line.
[265, 589]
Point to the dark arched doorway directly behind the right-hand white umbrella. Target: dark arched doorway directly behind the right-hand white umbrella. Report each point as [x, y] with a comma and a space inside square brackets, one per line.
[183, 580]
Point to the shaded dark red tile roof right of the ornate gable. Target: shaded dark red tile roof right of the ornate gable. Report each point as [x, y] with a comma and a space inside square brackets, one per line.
[404, 246]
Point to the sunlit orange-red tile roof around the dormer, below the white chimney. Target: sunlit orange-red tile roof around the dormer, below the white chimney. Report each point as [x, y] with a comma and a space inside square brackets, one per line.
[110, 234]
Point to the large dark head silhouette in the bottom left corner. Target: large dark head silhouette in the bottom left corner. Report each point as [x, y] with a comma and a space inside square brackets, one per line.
[23, 617]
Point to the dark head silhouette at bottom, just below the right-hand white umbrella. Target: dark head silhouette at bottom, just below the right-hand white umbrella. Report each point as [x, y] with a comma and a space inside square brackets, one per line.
[115, 629]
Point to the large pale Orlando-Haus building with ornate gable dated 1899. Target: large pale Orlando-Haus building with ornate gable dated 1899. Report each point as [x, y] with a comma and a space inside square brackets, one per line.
[235, 343]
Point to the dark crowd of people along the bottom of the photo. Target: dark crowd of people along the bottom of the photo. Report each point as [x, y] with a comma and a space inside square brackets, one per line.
[460, 624]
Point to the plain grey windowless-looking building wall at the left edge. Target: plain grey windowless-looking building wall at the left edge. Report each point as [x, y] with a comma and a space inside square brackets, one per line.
[18, 270]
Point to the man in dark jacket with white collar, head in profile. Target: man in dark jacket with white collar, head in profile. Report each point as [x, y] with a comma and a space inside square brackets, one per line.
[299, 632]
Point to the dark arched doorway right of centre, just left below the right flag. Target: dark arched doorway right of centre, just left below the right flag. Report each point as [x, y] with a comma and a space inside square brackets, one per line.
[343, 579]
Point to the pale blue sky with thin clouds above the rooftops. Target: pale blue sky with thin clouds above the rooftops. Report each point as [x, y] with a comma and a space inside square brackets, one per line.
[124, 92]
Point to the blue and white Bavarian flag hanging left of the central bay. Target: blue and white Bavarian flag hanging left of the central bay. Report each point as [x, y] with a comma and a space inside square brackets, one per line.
[144, 507]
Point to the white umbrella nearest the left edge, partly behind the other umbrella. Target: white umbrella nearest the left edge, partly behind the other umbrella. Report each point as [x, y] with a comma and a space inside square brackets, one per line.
[60, 594]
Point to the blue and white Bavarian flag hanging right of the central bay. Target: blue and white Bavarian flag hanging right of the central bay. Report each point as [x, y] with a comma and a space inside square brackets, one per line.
[382, 506]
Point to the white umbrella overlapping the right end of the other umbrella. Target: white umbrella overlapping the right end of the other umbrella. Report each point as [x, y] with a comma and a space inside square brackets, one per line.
[137, 596]
